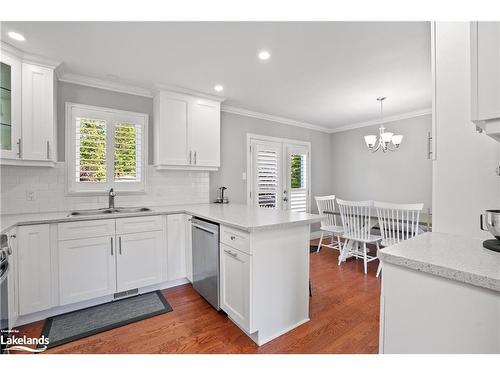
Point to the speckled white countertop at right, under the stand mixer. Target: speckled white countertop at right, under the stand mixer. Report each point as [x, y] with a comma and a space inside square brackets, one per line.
[454, 257]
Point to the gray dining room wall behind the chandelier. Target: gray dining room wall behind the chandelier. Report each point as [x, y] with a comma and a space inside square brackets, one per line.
[404, 176]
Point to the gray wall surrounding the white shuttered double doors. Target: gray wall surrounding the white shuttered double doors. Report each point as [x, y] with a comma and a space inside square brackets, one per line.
[234, 129]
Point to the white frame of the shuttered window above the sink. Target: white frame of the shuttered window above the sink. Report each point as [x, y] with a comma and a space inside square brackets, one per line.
[111, 116]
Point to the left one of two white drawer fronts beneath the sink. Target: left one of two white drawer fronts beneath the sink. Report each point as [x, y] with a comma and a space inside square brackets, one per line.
[86, 229]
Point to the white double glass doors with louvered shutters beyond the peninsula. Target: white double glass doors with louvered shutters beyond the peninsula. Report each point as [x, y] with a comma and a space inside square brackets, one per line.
[279, 174]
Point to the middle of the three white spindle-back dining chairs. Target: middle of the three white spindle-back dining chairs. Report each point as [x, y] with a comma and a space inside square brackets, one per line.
[357, 224]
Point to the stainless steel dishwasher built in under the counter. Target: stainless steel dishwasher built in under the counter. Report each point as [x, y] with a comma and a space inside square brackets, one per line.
[205, 248]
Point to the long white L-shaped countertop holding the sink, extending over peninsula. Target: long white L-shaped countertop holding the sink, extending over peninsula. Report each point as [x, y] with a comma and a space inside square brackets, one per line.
[247, 218]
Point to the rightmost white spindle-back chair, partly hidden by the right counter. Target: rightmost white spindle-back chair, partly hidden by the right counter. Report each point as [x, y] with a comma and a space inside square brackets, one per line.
[397, 222]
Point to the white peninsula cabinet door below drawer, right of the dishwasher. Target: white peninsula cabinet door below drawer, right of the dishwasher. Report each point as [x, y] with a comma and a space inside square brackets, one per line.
[235, 285]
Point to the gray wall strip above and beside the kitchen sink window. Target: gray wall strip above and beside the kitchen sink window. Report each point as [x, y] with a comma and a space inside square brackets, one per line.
[68, 92]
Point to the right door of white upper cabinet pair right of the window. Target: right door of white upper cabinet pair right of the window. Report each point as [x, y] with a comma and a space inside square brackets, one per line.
[205, 133]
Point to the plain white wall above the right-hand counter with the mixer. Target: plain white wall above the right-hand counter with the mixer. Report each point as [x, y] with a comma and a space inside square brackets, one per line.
[464, 178]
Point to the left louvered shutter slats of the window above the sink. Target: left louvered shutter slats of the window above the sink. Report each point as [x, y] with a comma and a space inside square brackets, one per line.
[90, 150]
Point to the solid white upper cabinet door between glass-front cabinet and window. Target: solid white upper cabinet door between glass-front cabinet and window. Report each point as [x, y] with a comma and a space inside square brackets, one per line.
[38, 113]
